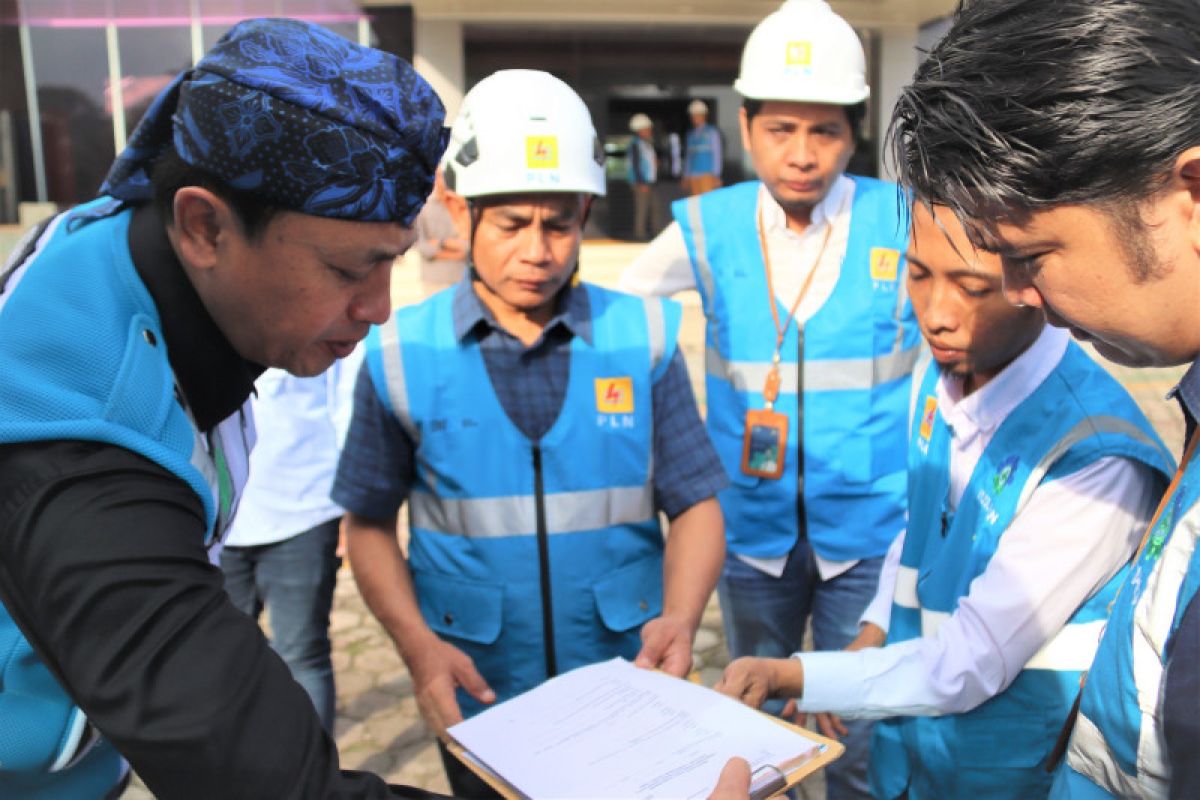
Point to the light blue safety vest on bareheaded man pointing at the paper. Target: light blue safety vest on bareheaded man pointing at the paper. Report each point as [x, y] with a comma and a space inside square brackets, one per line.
[1075, 418]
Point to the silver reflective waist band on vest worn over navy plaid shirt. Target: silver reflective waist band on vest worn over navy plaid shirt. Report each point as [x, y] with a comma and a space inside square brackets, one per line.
[515, 516]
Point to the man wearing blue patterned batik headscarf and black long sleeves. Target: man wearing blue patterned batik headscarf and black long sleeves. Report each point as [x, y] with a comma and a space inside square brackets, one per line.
[251, 222]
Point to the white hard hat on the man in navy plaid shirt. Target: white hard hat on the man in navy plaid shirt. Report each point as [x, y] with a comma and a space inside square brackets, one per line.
[524, 131]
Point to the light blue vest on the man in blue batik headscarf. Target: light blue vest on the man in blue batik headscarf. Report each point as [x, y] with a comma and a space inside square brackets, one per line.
[82, 358]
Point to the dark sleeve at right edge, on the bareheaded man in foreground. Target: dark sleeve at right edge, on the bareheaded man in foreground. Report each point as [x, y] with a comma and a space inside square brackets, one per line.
[1181, 705]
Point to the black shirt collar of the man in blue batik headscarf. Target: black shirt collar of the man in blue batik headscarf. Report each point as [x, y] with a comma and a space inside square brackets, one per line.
[214, 377]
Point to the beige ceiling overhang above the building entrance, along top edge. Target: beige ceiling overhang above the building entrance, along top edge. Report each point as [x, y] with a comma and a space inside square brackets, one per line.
[862, 14]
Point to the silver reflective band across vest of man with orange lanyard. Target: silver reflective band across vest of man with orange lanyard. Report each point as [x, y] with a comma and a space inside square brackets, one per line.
[827, 376]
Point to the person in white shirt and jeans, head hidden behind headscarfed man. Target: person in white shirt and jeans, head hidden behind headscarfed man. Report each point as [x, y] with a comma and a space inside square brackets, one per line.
[281, 551]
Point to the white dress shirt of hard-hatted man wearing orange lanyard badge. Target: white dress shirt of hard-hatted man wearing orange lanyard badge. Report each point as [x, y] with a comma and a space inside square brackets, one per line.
[664, 268]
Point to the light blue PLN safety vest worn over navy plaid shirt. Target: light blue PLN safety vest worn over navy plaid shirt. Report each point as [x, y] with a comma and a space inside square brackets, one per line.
[532, 557]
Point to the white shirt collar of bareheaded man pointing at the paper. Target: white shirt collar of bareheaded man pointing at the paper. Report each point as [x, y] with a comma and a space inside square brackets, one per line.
[983, 411]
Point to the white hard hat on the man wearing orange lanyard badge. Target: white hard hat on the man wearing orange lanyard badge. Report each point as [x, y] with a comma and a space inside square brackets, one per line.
[805, 53]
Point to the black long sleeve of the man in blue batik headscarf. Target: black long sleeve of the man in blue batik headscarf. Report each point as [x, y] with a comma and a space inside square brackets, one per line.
[104, 569]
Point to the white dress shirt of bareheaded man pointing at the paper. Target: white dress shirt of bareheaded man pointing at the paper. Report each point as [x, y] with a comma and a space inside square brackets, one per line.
[1072, 538]
